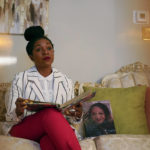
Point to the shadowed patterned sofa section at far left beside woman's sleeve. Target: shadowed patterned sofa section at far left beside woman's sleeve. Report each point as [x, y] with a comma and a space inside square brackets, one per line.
[3, 89]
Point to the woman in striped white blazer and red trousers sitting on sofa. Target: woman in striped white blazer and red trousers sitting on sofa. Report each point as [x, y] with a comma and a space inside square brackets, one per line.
[42, 83]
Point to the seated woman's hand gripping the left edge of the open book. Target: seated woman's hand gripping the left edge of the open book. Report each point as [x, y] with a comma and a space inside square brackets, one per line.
[20, 106]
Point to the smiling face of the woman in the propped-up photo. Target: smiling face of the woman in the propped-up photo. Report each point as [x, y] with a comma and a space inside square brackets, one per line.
[97, 115]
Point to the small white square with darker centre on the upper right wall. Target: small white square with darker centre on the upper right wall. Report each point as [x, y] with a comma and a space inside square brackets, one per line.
[141, 17]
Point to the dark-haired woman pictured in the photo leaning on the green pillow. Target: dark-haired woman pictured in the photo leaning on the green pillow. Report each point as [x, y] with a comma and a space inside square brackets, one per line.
[98, 120]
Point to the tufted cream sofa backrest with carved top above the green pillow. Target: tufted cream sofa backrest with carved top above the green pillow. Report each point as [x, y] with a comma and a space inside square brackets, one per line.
[127, 76]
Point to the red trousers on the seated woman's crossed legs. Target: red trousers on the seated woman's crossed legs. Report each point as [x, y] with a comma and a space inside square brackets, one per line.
[50, 128]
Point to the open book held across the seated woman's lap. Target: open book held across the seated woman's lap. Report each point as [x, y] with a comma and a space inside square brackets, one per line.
[37, 105]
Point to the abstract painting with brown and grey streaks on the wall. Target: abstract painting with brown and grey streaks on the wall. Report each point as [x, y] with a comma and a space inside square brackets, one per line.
[17, 15]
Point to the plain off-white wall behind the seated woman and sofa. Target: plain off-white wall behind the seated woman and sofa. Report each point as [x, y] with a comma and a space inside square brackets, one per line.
[92, 38]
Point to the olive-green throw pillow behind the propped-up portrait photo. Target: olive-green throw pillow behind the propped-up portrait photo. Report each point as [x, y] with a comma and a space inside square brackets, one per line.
[127, 107]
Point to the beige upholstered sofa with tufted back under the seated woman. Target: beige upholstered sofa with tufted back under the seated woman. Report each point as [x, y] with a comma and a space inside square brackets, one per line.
[136, 74]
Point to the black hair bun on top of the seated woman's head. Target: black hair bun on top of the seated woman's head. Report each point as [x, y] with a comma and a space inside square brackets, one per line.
[33, 32]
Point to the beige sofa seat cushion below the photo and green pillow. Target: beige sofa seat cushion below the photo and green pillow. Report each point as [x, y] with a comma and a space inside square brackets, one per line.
[123, 142]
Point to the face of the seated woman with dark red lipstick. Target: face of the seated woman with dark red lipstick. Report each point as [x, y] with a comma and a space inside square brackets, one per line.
[43, 53]
